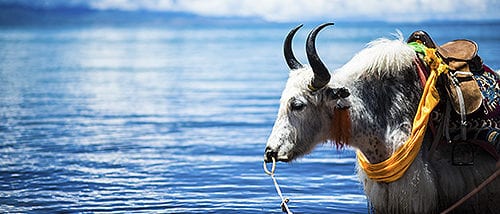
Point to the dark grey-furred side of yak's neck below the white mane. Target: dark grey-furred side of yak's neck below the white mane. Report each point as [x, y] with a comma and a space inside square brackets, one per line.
[382, 112]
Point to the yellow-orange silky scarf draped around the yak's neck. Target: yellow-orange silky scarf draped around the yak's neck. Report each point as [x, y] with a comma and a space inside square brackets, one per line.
[395, 166]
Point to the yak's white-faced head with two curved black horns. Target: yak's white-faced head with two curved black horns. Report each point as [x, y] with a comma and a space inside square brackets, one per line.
[306, 106]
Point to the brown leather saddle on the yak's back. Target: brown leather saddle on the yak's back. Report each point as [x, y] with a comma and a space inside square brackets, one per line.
[462, 60]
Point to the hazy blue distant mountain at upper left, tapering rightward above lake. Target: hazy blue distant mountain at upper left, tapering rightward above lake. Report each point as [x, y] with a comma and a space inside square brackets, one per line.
[23, 15]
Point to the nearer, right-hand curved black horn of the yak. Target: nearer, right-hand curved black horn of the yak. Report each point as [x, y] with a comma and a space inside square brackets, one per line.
[321, 74]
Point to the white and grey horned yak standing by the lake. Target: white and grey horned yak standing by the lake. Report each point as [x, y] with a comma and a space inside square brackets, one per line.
[380, 88]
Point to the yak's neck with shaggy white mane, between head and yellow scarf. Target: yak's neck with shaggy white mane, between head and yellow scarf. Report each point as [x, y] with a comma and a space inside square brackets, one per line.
[385, 92]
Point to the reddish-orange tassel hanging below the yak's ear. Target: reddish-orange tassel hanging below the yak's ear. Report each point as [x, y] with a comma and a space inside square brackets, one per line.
[341, 127]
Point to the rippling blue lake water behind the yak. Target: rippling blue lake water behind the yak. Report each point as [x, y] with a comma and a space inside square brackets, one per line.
[170, 120]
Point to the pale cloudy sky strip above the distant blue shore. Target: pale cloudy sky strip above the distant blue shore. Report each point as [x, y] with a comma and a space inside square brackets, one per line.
[297, 10]
